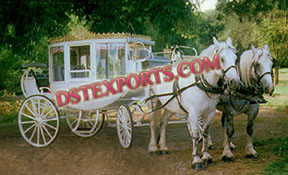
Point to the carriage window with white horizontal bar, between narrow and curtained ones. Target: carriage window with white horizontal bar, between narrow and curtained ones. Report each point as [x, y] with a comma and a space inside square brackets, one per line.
[79, 61]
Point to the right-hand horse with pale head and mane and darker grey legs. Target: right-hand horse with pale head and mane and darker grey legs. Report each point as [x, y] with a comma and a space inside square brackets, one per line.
[255, 73]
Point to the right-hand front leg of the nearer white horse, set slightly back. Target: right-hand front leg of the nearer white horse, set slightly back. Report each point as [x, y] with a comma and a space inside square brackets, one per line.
[207, 158]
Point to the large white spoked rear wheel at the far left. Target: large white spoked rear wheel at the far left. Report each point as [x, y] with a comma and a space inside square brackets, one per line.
[38, 121]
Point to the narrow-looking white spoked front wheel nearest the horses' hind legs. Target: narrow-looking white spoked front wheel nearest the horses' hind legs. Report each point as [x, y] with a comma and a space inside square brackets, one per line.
[124, 126]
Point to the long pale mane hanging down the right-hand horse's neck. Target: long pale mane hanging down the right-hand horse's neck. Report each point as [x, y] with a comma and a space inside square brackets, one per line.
[247, 59]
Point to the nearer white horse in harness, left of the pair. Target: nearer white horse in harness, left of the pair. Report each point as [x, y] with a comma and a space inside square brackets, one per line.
[195, 101]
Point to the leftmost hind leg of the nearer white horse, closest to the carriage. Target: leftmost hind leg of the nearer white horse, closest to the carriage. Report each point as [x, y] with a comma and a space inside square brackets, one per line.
[152, 147]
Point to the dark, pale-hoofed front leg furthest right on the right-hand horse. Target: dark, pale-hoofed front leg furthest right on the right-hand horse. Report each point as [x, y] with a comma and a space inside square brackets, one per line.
[252, 114]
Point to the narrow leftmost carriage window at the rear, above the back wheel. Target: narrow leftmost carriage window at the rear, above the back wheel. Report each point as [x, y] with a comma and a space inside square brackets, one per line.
[57, 54]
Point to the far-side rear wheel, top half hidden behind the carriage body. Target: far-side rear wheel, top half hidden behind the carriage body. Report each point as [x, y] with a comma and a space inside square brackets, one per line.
[85, 124]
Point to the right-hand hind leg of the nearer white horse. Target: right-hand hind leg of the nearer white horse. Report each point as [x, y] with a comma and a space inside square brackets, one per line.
[162, 142]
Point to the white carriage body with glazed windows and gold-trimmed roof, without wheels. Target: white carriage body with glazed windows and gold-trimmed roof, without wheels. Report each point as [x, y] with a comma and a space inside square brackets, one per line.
[93, 59]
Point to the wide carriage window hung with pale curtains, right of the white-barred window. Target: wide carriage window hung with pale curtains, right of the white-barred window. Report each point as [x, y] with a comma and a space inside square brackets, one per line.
[110, 60]
